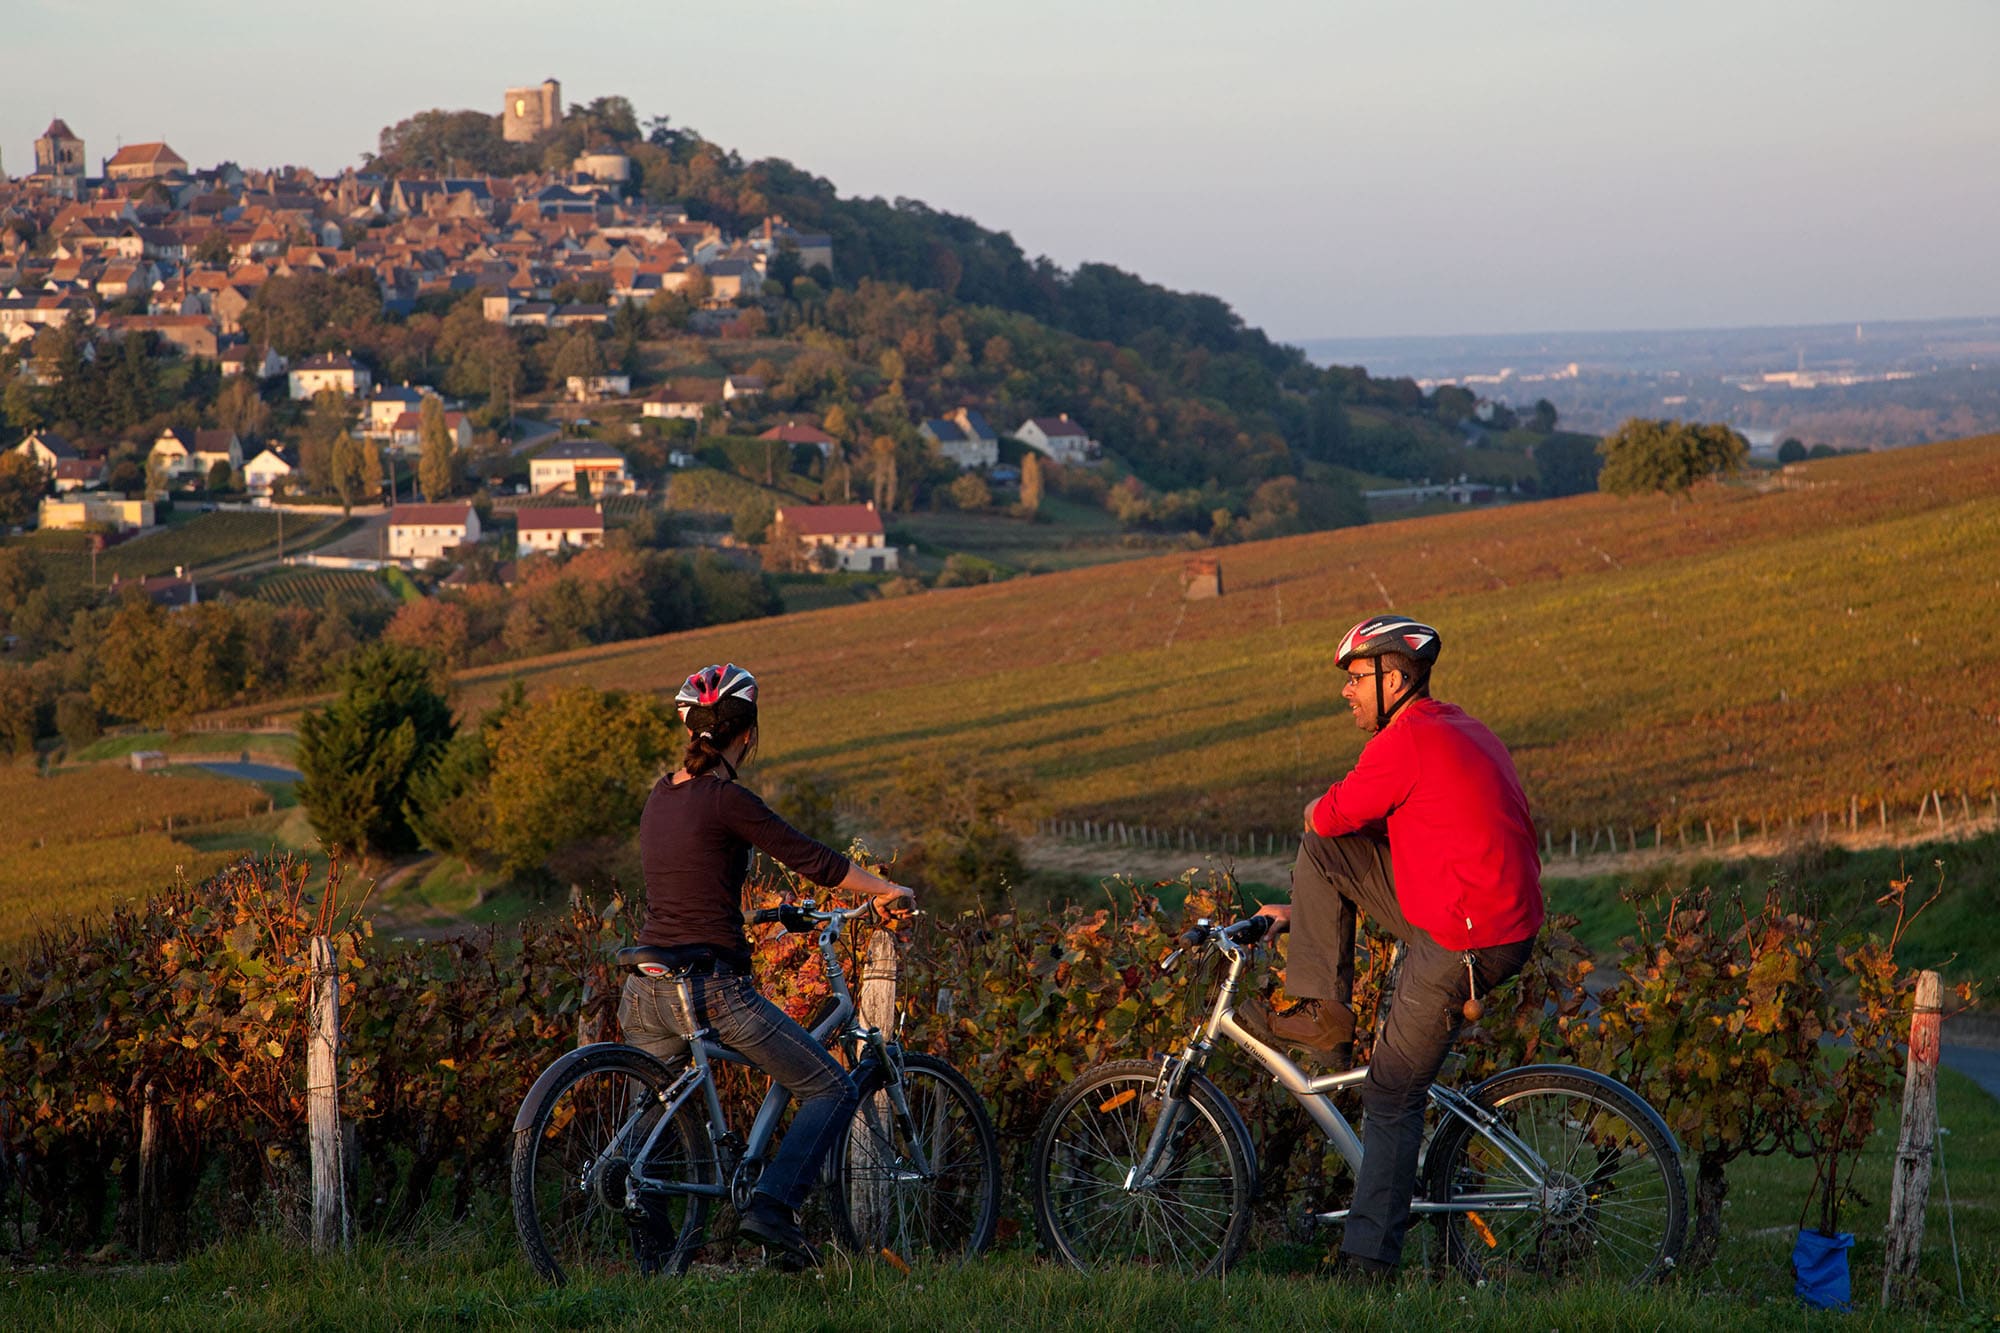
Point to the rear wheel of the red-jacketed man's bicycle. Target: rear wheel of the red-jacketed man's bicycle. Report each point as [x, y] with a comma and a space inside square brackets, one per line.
[1615, 1204]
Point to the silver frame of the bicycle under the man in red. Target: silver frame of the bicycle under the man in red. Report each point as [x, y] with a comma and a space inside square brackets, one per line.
[1315, 1098]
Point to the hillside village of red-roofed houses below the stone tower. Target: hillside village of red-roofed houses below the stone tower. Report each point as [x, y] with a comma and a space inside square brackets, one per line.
[153, 247]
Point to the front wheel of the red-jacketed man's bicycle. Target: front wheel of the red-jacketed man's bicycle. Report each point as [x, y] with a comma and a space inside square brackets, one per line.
[1199, 1214]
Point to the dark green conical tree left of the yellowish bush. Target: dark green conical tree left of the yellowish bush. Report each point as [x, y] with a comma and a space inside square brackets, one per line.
[361, 754]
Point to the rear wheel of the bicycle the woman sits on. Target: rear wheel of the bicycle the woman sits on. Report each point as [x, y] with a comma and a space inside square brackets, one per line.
[569, 1174]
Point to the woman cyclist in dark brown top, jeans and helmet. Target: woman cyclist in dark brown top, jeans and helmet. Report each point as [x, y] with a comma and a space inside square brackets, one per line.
[695, 848]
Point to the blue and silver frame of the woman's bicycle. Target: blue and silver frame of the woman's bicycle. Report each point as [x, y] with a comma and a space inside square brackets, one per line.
[741, 1162]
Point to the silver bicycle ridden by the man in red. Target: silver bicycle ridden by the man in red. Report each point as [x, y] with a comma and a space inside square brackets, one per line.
[1545, 1172]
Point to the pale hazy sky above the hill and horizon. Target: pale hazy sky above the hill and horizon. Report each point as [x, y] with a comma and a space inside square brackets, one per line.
[1327, 169]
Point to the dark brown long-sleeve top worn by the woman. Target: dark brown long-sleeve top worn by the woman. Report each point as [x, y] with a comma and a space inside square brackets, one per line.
[695, 846]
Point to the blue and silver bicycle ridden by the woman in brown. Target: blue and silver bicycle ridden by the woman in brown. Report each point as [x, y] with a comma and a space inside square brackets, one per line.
[619, 1158]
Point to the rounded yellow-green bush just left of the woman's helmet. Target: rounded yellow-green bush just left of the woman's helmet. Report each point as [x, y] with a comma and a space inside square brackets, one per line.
[575, 766]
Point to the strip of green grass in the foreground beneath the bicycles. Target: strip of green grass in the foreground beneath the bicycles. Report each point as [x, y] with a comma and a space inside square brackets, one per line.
[471, 1276]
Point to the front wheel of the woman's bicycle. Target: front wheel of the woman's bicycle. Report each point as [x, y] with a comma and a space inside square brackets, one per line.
[881, 1202]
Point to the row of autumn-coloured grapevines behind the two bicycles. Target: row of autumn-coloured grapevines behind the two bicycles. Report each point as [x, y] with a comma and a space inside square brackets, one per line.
[1715, 1014]
